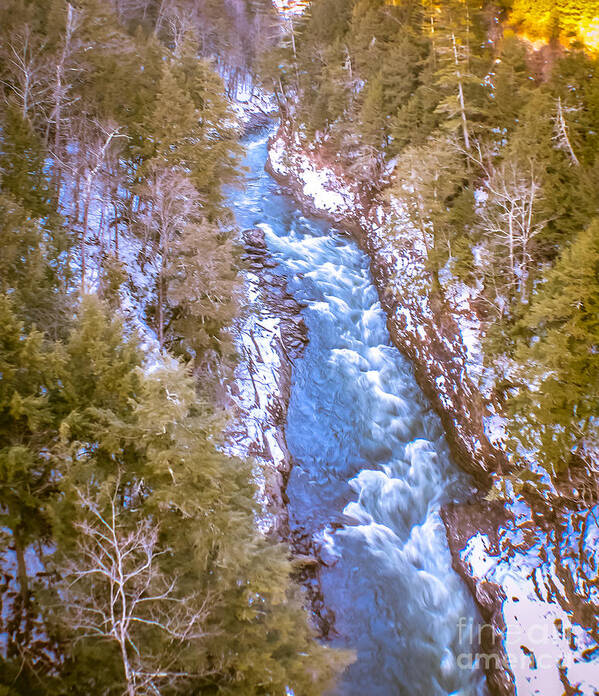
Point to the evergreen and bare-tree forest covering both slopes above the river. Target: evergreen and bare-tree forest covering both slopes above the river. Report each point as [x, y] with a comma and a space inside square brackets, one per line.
[131, 559]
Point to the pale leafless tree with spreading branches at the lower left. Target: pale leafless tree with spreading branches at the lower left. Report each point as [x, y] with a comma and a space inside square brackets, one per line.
[114, 589]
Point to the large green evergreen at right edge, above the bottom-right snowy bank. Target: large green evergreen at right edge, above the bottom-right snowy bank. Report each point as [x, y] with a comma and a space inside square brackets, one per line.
[556, 407]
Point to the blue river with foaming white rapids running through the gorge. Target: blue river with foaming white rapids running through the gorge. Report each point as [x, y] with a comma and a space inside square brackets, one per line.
[366, 443]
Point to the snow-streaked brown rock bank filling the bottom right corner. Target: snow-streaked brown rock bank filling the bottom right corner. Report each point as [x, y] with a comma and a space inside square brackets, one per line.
[533, 573]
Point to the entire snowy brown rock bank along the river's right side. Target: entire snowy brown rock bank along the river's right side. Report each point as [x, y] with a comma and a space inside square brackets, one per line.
[531, 562]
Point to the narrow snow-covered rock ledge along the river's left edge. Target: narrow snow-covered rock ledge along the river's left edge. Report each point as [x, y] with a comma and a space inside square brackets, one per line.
[269, 337]
